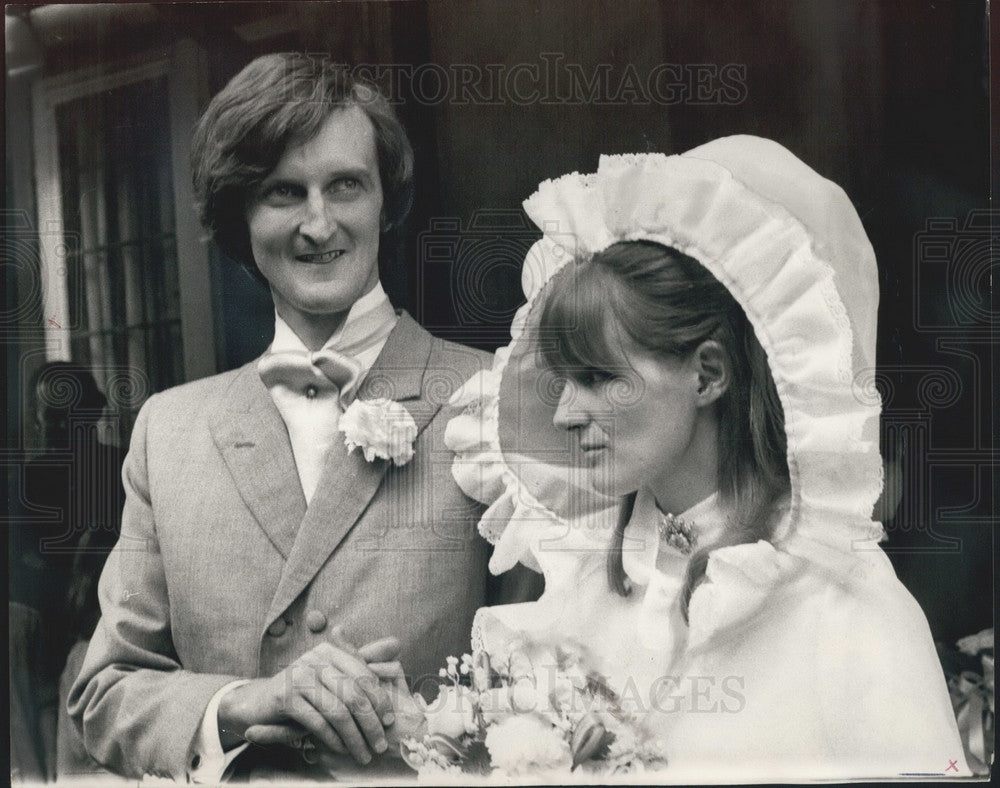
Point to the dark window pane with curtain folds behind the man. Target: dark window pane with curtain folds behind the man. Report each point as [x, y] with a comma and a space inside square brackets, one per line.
[114, 154]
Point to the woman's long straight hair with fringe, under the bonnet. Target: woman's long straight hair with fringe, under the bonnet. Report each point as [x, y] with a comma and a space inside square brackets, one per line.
[667, 304]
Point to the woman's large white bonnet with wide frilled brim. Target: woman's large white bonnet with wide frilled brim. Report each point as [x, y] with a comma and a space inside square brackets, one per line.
[790, 247]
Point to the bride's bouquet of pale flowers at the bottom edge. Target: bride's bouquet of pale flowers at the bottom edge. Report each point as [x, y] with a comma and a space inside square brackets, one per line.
[535, 712]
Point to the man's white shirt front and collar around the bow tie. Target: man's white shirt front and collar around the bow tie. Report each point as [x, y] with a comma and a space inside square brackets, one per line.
[311, 412]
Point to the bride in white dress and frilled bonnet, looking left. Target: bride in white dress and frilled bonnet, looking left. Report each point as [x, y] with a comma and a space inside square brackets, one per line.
[683, 437]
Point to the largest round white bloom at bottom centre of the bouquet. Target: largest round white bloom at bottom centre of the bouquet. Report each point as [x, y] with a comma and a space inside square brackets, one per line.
[524, 743]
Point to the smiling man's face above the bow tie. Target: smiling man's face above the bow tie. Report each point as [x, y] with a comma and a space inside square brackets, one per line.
[315, 220]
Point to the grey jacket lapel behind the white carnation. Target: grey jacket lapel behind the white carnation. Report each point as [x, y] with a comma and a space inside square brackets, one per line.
[348, 483]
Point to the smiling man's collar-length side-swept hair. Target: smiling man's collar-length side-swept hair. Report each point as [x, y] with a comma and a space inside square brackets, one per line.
[276, 101]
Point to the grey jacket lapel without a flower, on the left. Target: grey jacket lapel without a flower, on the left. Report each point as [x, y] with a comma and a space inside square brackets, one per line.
[253, 440]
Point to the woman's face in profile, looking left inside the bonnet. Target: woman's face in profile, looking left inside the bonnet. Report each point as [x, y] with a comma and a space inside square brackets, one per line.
[634, 426]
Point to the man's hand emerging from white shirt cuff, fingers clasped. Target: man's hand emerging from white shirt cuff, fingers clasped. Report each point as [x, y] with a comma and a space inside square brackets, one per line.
[328, 693]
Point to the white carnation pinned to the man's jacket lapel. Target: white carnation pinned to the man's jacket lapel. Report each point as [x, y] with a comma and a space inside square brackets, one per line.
[381, 428]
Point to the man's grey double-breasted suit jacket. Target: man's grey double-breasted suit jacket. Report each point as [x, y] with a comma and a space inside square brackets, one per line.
[222, 571]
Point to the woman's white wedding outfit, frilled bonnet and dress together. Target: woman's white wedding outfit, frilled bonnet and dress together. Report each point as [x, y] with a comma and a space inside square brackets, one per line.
[832, 661]
